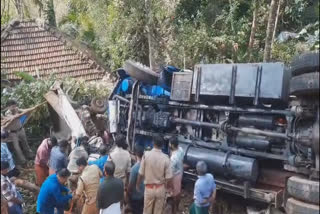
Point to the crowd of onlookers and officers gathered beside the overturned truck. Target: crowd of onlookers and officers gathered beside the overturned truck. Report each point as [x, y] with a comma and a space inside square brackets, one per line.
[117, 181]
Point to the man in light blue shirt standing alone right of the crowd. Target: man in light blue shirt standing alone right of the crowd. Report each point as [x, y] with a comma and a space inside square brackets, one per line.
[204, 190]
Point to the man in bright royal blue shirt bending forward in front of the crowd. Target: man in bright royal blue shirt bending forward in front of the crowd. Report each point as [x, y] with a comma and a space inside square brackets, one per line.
[54, 194]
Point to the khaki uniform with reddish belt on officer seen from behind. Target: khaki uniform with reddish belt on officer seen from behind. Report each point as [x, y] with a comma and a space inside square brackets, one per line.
[156, 169]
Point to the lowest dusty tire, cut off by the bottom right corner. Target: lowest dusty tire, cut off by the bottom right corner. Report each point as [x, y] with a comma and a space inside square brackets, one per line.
[294, 206]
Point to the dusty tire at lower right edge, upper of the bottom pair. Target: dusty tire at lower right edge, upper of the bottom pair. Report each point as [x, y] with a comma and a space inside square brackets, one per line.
[303, 189]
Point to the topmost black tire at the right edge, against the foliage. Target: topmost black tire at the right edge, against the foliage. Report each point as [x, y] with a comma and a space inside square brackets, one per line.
[305, 63]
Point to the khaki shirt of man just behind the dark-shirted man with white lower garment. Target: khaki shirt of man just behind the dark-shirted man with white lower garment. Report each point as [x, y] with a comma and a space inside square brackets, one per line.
[122, 160]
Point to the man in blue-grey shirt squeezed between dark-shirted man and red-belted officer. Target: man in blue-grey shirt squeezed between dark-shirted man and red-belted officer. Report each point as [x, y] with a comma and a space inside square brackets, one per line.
[136, 198]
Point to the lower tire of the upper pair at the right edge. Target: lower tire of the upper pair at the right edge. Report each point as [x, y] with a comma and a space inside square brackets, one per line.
[305, 84]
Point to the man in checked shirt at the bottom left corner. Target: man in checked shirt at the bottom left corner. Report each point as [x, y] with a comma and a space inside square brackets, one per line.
[9, 191]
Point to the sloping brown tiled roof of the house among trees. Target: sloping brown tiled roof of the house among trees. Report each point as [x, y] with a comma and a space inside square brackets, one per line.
[39, 50]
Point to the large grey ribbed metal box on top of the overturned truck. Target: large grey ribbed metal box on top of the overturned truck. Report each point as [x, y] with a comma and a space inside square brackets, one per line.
[263, 81]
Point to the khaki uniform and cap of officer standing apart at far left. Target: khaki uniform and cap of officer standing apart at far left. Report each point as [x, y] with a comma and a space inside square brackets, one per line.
[18, 138]
